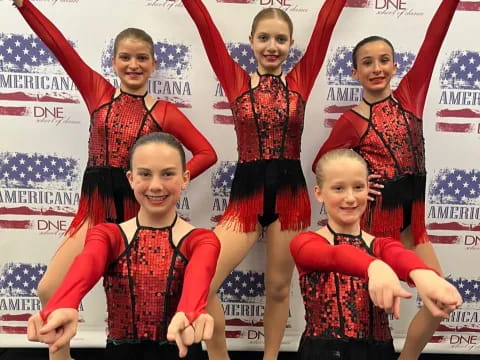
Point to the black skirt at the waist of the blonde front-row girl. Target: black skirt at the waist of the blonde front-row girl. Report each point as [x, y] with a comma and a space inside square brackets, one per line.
[345, 349]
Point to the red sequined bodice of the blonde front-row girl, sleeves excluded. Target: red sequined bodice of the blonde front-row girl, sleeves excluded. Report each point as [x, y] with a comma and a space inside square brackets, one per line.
[338, 306]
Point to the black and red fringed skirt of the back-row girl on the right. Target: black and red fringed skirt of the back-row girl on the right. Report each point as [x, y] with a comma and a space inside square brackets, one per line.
[401, 204]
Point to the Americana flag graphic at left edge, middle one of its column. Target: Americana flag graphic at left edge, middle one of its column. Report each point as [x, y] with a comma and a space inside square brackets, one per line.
[25, 178]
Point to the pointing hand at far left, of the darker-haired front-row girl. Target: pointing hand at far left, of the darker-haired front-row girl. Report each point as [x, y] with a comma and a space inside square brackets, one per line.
[59, 329]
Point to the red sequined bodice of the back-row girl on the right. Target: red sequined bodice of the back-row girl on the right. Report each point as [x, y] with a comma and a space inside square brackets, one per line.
[393, 144]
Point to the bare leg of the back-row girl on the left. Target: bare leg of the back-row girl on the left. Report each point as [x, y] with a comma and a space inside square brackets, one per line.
[56, 271]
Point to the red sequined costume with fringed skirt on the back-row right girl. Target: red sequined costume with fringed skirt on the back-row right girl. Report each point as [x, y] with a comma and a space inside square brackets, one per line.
[391, 141]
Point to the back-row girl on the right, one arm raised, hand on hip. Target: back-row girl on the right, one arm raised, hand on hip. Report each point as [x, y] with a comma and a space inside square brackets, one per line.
[386, 129]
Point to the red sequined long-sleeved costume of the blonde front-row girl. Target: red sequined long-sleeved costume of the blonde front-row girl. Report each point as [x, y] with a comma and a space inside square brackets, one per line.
[341, 320]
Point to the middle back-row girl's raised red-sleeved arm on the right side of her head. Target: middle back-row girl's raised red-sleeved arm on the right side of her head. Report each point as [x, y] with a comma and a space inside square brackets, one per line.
[305, 72]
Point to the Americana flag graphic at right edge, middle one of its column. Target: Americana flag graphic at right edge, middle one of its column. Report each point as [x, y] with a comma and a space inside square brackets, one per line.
[453, 189]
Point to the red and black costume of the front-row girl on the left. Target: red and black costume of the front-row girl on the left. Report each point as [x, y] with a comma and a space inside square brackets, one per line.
[146, 280]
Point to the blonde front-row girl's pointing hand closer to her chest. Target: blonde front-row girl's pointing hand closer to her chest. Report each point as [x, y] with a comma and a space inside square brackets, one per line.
[385, 289]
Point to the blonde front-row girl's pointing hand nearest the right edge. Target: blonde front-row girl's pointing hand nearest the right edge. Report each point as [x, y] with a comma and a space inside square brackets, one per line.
[439, 296]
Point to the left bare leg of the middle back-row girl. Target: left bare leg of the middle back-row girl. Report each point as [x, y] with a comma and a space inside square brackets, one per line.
[235, 246]
